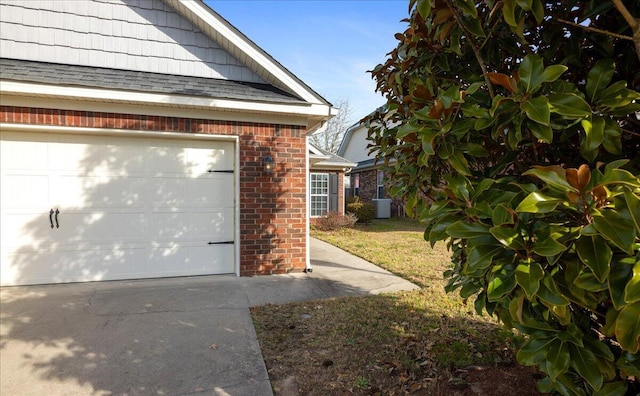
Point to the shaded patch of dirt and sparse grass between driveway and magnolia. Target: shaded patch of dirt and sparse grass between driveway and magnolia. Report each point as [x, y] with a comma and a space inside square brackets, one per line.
[378, 345]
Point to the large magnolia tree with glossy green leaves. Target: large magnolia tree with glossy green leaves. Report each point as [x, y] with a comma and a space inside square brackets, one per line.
[512, 129]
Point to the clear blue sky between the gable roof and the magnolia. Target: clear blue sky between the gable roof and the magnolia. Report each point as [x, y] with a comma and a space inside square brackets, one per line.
[328, 44]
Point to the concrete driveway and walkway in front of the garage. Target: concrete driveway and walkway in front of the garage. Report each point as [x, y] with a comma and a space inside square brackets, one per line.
[174, 336]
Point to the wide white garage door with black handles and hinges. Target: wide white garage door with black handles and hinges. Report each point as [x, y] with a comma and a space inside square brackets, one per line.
[87, 208]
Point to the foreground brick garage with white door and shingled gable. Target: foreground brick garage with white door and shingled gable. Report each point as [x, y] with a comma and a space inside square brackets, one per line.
[148, 138]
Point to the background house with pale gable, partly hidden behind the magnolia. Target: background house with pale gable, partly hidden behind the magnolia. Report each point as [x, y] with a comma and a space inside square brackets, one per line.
[367, 180]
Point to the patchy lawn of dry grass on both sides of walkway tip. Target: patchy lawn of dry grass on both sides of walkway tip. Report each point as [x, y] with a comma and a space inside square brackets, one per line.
[392, 343]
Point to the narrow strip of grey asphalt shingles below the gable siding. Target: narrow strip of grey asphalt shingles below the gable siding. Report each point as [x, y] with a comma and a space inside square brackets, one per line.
[96, 77]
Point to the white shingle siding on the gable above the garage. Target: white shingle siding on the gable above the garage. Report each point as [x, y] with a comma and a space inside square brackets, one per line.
[143, 35]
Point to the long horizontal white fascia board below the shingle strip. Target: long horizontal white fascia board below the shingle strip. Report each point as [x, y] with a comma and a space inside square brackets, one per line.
[20, 88]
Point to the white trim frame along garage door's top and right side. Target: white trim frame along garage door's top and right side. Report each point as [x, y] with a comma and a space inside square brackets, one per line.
[95, 132]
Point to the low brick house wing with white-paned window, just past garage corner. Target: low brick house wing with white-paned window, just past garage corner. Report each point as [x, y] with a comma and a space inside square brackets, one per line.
[326, 182]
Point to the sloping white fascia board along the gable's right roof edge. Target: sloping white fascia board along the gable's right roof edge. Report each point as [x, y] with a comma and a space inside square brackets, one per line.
[252, 51]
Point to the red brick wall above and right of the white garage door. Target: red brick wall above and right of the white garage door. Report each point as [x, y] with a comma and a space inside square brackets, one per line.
[272, 207]
